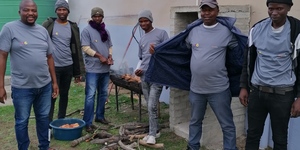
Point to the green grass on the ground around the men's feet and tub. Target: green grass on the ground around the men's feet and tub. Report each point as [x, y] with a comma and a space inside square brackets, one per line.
[76, 102]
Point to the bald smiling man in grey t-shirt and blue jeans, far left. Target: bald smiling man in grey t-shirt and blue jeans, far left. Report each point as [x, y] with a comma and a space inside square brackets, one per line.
[32, 73]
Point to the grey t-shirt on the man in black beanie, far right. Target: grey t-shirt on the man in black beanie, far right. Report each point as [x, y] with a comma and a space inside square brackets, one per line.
[273, 66]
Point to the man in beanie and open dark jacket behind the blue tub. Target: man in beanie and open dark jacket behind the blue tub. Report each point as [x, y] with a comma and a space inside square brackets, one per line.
[67, 55]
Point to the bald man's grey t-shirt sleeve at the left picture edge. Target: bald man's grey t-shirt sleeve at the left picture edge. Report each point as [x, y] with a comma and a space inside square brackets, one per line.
[6, 39]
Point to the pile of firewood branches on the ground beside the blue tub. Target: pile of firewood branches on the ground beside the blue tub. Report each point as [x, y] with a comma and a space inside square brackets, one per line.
[129, 138]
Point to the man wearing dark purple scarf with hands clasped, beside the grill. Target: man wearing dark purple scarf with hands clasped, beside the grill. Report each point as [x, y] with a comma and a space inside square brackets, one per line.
[97, 47]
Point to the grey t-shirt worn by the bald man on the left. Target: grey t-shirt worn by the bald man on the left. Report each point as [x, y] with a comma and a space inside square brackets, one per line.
[28, 47]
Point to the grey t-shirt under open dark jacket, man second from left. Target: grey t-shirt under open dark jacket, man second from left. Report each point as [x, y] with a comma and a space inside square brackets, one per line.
[61, 38]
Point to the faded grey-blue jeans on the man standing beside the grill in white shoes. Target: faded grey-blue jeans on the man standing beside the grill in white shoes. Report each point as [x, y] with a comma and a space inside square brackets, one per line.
[152, 93]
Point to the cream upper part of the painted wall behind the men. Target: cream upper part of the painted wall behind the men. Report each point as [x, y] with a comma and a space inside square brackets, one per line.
[116, 9]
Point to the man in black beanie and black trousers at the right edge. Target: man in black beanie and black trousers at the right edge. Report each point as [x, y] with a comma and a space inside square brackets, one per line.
[271, 75]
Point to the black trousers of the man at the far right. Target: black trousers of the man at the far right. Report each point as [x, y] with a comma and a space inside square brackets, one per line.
[279, 107]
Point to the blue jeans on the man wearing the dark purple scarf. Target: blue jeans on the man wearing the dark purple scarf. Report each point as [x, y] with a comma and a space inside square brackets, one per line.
[95, 82]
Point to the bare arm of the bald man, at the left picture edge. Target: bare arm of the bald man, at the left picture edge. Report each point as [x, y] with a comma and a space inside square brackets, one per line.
[3, 59]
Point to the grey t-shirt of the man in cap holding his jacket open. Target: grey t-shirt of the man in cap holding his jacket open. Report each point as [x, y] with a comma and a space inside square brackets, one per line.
[209, 44]
